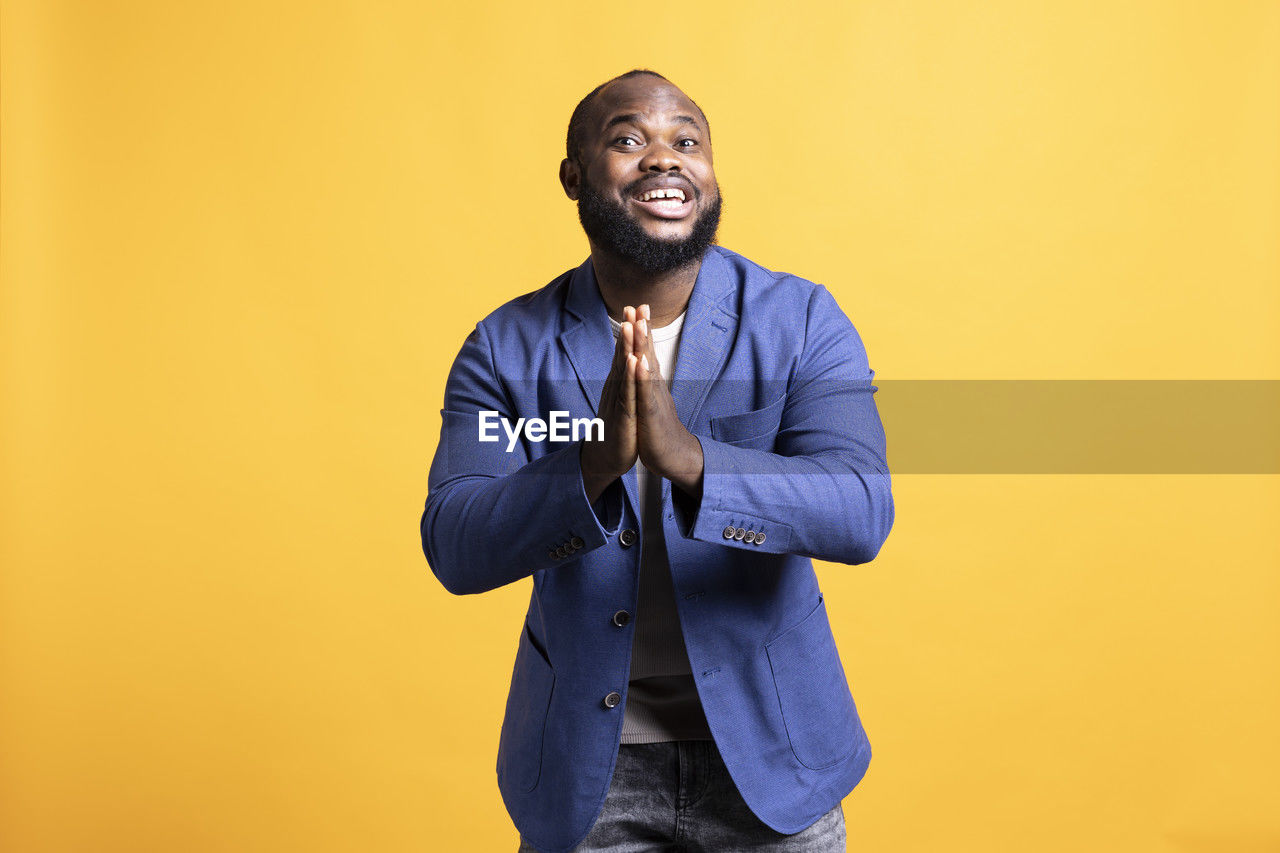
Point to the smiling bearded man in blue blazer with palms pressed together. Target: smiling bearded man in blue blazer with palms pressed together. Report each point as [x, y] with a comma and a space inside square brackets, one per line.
[676, 683]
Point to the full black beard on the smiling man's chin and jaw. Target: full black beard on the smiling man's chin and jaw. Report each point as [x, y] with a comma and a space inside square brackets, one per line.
[609, 226]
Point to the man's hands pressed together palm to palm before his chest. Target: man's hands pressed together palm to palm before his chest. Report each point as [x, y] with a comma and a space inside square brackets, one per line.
[641, 419]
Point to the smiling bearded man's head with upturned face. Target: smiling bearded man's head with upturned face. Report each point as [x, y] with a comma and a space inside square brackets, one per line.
[644, 181]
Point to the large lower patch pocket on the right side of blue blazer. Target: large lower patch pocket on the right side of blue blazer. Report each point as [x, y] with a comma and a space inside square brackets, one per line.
[817, 708]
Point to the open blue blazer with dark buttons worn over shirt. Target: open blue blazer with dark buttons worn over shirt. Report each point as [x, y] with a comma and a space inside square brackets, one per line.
[774, 381]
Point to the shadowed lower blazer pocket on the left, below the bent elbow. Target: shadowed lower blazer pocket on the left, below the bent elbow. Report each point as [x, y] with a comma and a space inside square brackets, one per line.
[520, 747]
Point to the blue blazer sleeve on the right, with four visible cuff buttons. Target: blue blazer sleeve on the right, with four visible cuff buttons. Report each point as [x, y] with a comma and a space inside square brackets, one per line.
[824, 491]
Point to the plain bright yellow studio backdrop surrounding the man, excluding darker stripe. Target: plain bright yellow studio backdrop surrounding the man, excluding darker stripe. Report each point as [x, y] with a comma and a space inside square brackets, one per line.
[243, 243]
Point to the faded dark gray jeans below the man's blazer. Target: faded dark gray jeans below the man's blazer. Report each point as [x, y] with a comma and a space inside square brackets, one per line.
[679, 799]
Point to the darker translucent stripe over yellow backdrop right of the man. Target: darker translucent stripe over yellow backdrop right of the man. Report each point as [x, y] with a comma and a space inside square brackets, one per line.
[1082, 427]
